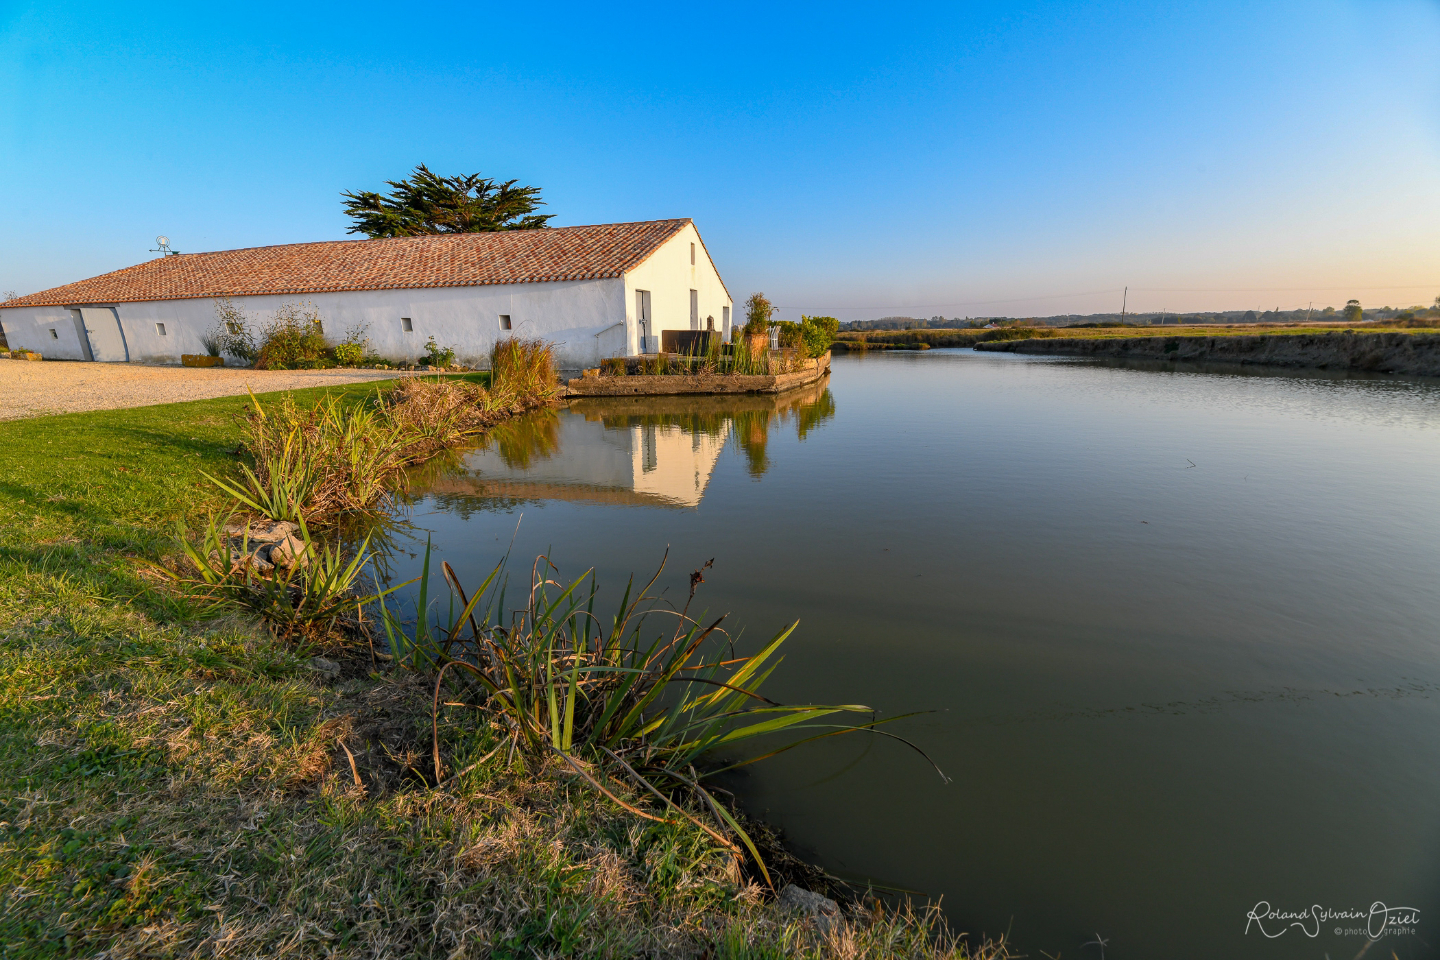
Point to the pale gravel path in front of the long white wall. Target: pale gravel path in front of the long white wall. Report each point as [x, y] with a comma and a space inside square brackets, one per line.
[37, 389]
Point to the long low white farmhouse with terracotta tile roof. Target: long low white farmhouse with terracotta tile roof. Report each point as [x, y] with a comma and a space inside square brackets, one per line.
[594, 291]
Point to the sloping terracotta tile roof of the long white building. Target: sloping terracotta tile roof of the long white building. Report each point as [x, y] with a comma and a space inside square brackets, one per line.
[464, 260]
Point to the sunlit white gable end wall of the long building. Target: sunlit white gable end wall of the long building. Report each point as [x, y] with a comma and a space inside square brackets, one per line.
[670, 277]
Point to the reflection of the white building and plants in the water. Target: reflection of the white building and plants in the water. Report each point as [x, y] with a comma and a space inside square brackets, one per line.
[642, 451]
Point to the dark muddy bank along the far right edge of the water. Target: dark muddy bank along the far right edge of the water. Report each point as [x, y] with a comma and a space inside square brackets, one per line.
[1412, 355]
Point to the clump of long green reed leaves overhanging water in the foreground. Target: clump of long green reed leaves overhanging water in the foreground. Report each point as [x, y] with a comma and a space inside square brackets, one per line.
[650, 696]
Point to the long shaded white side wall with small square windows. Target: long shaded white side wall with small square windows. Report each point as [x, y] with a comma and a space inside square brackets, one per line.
[567, 313]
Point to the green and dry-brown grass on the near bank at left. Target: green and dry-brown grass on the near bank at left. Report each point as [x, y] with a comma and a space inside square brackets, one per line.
[174, 787]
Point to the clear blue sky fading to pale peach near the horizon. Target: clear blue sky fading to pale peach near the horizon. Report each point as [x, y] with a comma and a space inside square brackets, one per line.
[984, 159]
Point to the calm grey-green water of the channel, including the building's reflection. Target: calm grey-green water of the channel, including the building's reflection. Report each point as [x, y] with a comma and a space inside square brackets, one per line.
[1180, 628]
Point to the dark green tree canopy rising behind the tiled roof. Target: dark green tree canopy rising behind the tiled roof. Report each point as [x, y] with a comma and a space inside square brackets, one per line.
[428, 204]
